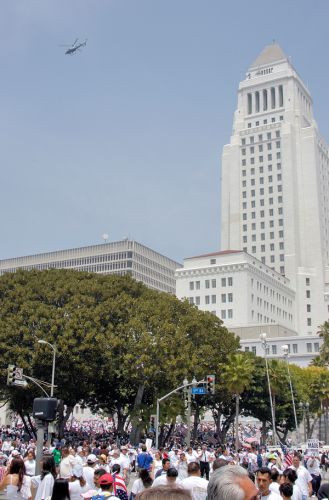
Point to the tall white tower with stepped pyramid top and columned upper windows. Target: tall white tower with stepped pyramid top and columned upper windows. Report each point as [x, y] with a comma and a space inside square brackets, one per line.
[275, 183]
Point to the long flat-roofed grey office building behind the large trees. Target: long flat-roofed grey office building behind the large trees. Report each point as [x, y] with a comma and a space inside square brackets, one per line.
[119, 257]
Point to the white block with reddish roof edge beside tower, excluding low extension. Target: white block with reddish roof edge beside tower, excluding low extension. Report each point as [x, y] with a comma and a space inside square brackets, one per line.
[238, 288]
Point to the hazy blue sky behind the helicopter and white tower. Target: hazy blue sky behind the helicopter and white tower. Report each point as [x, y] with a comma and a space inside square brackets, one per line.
[126, 136]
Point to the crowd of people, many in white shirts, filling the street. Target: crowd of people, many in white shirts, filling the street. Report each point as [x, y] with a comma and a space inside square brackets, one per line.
[97, 470]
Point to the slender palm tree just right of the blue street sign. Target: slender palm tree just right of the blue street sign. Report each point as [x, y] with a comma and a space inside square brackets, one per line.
[237, 376]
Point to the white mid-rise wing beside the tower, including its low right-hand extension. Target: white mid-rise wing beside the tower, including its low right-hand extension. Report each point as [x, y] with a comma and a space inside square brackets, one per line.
[250, 298]
